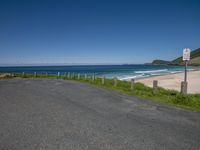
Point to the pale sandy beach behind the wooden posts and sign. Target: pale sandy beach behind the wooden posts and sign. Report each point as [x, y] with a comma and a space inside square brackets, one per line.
[173, 81]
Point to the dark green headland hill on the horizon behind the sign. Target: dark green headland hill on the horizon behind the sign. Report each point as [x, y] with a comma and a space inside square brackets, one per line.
[194, 56]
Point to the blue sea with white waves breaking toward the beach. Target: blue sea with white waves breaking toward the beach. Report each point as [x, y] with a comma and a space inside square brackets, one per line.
[122, 72]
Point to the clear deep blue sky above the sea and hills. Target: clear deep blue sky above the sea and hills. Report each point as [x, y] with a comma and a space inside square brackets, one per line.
[96, 31]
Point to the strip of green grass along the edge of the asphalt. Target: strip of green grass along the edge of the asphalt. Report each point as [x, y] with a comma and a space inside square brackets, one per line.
[170, 97]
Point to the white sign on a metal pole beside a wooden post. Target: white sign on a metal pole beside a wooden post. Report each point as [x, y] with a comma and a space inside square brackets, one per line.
[186, 58]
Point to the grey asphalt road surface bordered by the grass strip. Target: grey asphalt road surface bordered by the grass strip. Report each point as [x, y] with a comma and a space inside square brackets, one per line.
[53, 114]
